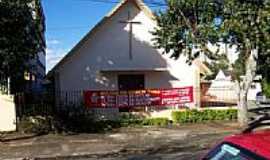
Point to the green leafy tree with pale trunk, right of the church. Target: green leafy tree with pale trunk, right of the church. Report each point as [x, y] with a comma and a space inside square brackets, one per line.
[188, 27]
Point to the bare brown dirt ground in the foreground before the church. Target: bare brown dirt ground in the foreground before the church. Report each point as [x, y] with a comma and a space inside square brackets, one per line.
[186, 142]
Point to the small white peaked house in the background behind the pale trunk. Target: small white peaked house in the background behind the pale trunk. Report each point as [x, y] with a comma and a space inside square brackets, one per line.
[222, 88]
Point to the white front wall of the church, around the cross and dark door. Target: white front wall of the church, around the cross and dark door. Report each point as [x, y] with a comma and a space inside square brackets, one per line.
[108, 49]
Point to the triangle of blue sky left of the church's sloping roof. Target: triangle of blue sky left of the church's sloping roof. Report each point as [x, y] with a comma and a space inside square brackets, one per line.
[67, 21]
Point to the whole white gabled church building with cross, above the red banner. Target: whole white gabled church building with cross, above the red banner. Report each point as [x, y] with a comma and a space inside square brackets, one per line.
[113, 57]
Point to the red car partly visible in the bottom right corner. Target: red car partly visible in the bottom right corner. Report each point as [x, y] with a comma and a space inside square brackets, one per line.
[248, 145]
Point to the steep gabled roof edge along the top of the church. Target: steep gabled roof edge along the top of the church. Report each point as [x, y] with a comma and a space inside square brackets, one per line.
[139, 3]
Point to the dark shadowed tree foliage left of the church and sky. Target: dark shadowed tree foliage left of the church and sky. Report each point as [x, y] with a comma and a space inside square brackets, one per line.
[20, 39]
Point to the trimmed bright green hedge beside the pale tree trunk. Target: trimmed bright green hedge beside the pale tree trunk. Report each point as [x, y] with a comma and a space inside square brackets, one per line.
[195, 116]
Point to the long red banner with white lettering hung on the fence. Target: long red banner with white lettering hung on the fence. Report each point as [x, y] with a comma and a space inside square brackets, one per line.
[152, 97]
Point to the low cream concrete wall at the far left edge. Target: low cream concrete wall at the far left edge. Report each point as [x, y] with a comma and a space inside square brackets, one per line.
[7, 114]
